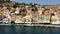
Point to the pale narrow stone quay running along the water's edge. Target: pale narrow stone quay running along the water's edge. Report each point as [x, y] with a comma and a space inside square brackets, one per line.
[26, 25]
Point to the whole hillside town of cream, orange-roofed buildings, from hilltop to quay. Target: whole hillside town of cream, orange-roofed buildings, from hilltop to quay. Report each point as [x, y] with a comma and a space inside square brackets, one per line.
[13, 12]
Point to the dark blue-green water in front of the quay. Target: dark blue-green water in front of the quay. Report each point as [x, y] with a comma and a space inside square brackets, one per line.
[28, 30]
